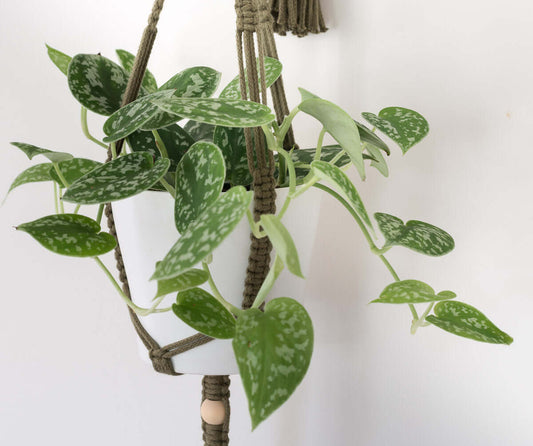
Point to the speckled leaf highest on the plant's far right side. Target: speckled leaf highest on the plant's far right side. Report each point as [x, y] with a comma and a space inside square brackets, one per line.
[405, 127]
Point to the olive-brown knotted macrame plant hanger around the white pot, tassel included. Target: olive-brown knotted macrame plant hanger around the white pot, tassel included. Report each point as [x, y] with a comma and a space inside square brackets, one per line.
[259, 18]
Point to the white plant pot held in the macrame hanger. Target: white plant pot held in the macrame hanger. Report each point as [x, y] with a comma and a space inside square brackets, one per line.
[146, 231]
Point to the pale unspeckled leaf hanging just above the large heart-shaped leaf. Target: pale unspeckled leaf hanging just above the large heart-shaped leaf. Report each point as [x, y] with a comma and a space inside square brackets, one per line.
[282, 242]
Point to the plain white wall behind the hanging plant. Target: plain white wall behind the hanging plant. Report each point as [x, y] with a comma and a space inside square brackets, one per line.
[69, 368]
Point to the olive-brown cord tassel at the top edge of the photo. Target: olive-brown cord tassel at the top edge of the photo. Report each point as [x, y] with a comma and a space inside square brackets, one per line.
[300, 17]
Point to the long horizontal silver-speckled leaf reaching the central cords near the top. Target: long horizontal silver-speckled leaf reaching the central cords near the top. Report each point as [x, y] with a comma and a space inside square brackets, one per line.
[224, 112]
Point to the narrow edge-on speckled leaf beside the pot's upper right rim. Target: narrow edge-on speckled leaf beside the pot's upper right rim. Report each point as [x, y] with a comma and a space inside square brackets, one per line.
[342, 184]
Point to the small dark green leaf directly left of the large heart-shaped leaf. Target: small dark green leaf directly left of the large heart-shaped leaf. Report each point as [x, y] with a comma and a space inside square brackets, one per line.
[200, 310]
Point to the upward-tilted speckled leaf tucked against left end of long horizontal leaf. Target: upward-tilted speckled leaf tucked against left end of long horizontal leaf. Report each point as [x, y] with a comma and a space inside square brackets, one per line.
[133, 116]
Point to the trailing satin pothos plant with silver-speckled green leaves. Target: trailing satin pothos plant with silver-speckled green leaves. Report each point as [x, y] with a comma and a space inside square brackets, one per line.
[202, 165]
